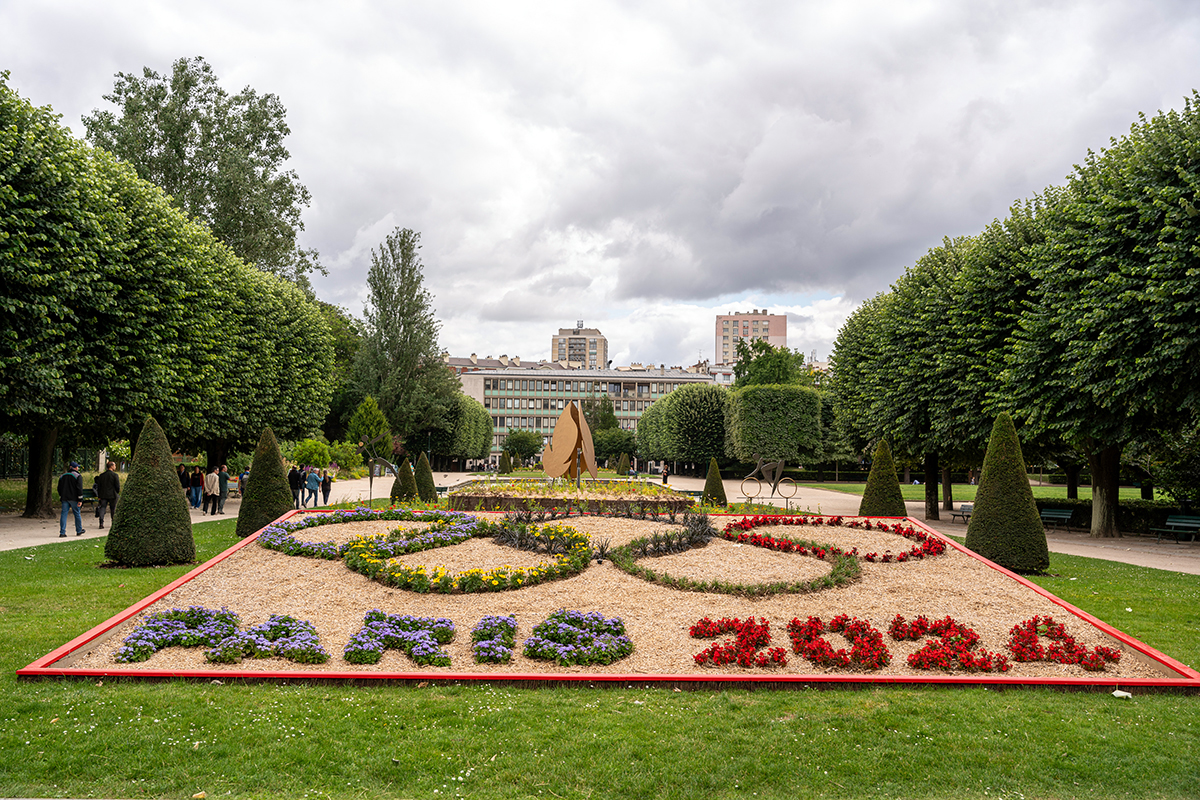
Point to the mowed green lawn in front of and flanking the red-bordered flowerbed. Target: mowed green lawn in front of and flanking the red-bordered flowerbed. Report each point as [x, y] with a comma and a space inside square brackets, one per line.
[176, 739]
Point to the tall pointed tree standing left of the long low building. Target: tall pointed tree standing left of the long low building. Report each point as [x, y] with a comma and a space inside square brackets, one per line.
[399, 360]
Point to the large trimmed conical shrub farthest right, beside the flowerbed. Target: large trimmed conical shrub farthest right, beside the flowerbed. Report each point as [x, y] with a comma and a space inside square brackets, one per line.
[1006, 526]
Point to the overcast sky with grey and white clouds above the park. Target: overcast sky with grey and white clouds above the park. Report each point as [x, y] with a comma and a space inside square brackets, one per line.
[644, 167]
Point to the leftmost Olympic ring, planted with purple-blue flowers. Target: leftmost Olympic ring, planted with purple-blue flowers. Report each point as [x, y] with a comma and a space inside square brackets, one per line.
[281, 537]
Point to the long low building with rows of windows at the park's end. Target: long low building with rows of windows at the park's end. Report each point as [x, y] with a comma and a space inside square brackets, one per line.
[523, 400]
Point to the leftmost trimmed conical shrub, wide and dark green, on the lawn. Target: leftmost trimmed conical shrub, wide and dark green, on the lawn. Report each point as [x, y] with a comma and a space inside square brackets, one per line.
[152, 524]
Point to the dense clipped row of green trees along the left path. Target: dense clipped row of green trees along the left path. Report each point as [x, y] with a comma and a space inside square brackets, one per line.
[118, 308]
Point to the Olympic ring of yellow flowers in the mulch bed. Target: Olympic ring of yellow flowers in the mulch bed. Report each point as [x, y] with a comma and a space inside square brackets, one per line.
[379, 562]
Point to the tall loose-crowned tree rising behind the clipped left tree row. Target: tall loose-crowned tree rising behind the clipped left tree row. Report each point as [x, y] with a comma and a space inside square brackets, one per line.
[220, 158]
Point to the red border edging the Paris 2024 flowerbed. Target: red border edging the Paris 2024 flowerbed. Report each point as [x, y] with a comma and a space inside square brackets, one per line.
[1190, 679]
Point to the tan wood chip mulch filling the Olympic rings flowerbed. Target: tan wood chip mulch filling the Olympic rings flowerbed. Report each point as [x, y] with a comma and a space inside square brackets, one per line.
[256, 584]
